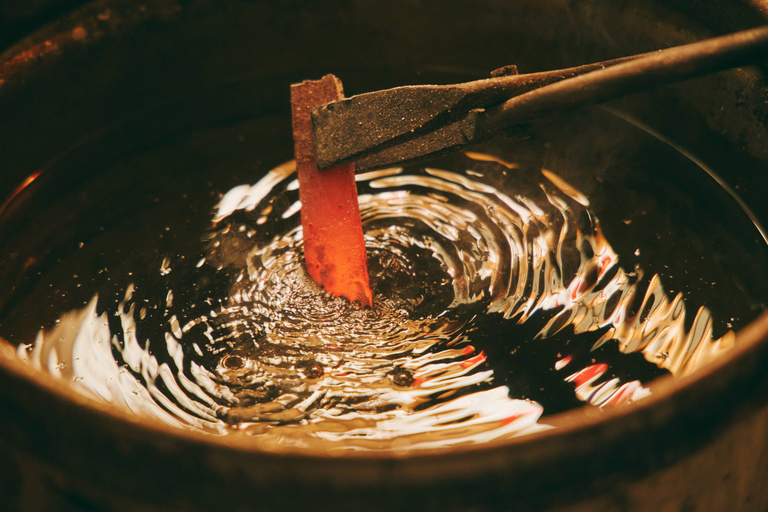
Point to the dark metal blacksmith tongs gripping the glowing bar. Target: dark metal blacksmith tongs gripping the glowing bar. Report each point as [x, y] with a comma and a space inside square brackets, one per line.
[406, 123]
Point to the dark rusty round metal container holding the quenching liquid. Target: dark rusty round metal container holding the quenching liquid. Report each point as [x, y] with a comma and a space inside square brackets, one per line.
[698, 443]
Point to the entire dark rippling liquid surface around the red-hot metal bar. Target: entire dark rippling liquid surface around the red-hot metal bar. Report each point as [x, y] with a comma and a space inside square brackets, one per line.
[511, 282]
